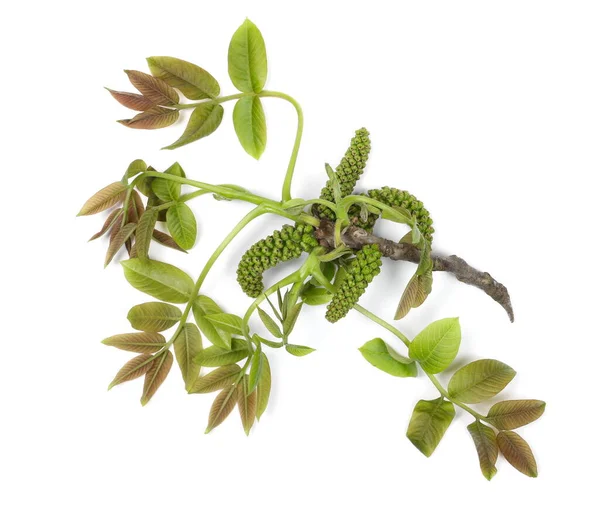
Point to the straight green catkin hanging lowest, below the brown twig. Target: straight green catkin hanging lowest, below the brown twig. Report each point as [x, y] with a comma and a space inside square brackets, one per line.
[361, 272]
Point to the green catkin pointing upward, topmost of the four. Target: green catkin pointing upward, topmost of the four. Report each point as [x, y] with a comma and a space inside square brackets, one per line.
[348, 171]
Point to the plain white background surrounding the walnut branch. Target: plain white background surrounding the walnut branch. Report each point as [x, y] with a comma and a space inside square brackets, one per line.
[487, 111]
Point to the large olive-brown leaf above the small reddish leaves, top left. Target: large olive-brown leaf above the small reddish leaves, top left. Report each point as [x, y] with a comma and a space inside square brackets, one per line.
[193, 81]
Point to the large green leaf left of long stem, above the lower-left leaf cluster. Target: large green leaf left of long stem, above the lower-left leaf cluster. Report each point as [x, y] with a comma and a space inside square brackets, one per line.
[158, 279]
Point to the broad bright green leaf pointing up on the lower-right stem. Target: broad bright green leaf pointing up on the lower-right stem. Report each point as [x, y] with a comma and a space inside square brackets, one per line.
[437, 345]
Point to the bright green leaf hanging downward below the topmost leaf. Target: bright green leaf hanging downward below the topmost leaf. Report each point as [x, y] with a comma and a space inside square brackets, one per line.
[250, 125]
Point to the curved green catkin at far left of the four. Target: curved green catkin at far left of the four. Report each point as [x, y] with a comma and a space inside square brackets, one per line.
[285, 244]
